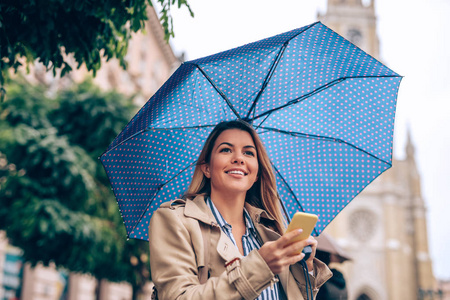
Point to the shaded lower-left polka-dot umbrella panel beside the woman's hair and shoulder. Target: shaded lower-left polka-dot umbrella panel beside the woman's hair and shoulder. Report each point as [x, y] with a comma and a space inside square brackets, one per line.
[148, 165]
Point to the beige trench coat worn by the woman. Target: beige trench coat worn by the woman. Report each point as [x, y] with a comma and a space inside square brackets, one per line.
[177, 252]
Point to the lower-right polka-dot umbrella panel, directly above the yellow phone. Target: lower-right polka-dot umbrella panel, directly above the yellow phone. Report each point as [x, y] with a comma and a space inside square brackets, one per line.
[317, 175]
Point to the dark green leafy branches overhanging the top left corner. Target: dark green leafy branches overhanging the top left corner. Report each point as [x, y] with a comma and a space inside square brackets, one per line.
[47, 30]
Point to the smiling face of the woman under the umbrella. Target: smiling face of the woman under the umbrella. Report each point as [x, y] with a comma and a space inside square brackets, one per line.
[233, 167]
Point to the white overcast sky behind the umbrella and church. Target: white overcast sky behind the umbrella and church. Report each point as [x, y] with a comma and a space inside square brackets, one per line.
[415, 42]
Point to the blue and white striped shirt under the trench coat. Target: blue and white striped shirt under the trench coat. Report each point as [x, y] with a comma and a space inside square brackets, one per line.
[250, 241]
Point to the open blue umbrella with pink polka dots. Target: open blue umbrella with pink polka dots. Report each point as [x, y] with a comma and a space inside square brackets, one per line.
[323, 108]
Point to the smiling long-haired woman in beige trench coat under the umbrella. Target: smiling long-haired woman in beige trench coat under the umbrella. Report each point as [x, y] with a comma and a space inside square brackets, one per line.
[225, 239]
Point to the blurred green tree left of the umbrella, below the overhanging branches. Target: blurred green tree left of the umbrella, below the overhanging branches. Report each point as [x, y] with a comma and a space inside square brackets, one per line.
[56, 202]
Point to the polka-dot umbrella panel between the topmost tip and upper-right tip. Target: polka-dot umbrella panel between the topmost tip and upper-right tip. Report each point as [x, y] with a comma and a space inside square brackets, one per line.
[311, 62]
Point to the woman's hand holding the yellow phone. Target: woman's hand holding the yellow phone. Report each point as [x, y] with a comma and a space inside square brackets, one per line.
[280, 254]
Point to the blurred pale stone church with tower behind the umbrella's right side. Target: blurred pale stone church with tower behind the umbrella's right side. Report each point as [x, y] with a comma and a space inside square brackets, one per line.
[384, 228]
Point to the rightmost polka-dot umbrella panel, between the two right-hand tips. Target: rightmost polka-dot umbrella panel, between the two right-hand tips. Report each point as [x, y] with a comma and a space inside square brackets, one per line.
[352, 111]
